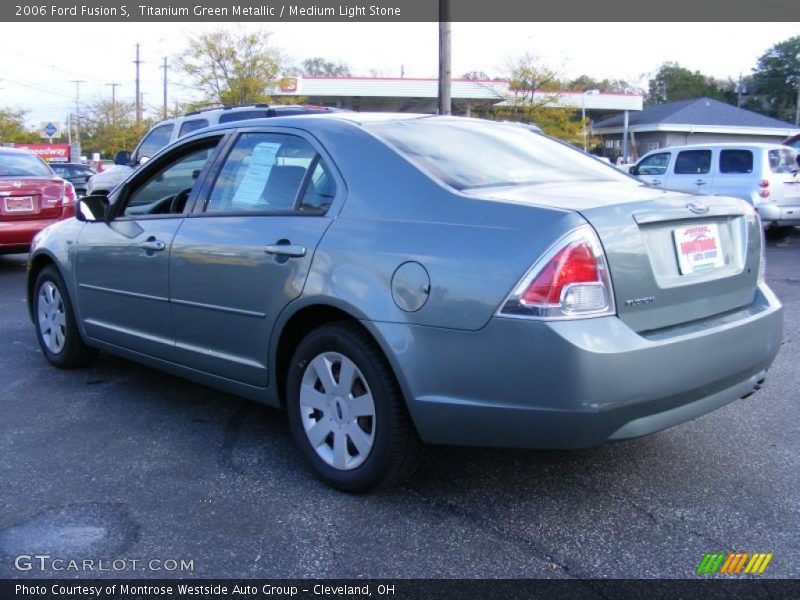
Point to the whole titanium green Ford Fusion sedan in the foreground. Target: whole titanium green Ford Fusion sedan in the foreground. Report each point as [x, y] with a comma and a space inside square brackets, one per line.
[394, 279]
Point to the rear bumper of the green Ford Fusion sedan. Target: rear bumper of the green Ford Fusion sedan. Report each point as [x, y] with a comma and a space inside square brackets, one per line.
[575, 384]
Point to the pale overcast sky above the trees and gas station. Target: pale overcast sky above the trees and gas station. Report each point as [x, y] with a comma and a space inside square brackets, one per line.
[39, 59]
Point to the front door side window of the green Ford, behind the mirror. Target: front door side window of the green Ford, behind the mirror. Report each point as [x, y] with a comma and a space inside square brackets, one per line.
[167, 190]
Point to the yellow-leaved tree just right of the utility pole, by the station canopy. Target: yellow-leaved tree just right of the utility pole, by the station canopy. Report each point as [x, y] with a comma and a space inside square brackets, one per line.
[534, 99]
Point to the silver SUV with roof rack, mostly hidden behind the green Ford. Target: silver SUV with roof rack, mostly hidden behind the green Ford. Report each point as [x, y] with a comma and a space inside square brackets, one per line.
[170, 130]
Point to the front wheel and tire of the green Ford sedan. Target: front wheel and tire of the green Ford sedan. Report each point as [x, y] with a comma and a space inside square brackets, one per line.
[56, 328]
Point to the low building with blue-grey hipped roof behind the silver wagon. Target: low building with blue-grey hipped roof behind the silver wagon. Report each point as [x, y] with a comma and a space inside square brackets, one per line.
[693, 121]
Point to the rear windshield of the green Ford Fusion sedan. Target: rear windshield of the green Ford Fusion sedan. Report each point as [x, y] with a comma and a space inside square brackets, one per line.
[470, 153]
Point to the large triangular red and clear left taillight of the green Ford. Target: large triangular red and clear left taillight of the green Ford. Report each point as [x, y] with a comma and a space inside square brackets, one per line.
[570, 280]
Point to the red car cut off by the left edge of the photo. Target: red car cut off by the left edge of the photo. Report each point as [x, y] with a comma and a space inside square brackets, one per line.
[32, 197]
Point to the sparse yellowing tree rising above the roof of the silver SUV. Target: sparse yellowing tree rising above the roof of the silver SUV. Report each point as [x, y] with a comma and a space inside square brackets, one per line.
[232, 67]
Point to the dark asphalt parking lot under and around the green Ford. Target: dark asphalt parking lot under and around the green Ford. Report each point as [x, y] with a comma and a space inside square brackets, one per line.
[121, 461]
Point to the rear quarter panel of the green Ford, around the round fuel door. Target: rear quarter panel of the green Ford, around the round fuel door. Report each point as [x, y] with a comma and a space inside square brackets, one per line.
[474, 250]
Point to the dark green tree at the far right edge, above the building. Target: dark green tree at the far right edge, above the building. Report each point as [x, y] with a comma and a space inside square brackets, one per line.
[777, 77]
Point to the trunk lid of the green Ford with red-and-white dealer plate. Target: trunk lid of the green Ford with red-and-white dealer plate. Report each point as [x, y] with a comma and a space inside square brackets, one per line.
[638, 228]
